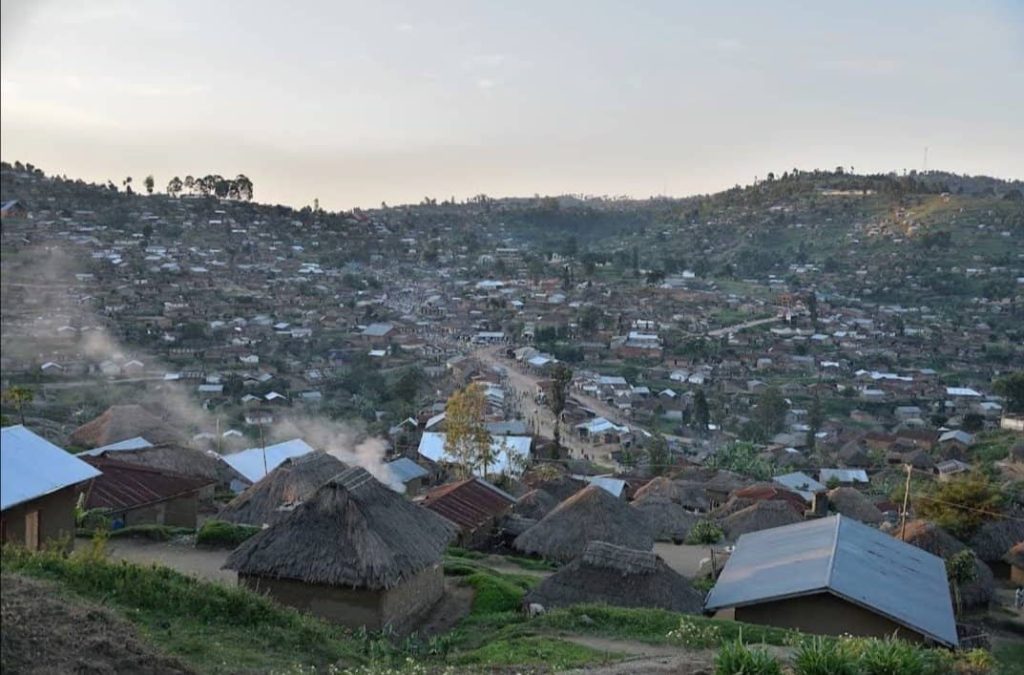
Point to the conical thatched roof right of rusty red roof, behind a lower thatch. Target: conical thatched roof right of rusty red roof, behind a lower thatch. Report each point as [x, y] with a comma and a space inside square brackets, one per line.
[591, 515]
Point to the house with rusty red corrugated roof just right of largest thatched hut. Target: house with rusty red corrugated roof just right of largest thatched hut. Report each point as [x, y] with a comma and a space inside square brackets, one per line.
[475, 505]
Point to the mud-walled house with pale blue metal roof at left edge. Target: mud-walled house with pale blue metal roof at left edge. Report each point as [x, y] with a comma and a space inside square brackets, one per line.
[39, 486]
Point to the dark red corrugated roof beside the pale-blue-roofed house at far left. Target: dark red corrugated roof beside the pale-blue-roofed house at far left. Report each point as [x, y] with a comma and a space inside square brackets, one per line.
[125, 486]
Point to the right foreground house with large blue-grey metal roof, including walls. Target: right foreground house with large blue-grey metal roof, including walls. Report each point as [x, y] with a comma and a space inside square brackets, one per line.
[835, 576]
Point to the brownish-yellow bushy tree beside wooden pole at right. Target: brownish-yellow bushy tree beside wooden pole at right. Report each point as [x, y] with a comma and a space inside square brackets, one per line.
[961, 507]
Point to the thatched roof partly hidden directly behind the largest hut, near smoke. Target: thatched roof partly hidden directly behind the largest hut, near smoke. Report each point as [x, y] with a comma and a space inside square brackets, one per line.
[293, 482]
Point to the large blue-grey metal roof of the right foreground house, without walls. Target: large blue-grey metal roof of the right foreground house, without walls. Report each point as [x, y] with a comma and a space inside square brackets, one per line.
[848, 560]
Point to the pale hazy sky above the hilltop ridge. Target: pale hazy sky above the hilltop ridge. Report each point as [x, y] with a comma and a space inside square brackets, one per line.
[355, 103]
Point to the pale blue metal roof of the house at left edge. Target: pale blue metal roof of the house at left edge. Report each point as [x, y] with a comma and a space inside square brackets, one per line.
[31, 468]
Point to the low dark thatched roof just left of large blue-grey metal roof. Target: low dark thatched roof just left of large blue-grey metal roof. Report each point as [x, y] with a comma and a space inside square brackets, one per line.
[621, 577]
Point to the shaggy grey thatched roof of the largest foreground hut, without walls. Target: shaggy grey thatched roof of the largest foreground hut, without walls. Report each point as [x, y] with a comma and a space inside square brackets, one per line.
[353, 532]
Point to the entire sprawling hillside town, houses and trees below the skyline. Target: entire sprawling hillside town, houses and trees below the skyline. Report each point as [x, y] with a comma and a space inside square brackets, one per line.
[409, 419]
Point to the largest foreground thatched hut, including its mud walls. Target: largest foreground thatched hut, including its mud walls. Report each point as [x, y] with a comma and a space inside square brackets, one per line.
[356, 554]
